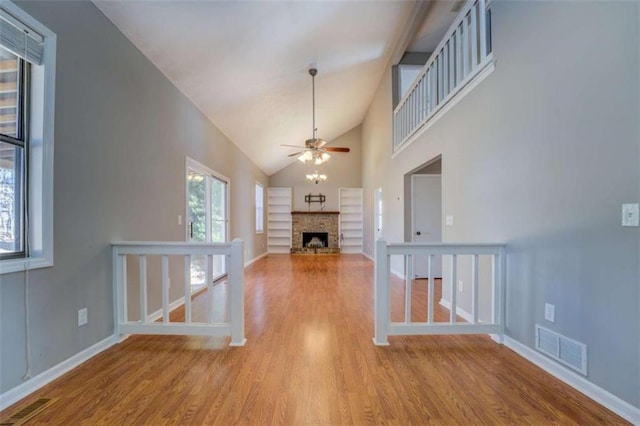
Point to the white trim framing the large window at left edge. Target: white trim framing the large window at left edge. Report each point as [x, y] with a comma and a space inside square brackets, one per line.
[40, 227]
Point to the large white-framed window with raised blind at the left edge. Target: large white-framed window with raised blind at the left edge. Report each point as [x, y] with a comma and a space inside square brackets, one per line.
[27, 77]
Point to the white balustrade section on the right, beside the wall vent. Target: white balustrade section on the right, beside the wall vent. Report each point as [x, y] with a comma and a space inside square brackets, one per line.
[432, 252]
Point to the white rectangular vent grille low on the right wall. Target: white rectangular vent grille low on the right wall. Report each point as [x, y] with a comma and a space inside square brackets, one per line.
[567, 351]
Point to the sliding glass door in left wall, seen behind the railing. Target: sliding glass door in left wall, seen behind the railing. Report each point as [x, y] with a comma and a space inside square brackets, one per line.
[206, 220]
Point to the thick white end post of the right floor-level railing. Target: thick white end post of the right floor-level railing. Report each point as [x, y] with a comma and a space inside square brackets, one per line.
[382, 292]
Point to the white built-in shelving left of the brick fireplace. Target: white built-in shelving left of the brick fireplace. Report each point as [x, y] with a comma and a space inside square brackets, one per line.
[279, 220]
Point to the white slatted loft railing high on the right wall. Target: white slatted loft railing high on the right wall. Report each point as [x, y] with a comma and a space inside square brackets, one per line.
[463, 53]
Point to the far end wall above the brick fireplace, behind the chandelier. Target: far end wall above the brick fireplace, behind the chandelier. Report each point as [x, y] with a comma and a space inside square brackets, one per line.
[343, 170]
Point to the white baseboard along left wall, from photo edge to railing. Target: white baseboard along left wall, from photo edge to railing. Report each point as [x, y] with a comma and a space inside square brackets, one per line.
[14, 395]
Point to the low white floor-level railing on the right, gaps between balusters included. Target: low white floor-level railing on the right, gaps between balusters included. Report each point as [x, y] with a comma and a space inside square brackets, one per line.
[478, 310]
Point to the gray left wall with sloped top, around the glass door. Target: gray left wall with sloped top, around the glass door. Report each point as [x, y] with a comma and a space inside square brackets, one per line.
[122, 132]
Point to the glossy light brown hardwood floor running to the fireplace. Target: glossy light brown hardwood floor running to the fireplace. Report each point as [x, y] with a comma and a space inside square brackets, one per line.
[309, 359]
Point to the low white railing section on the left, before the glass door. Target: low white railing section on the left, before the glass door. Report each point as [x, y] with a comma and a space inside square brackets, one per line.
[233, 306]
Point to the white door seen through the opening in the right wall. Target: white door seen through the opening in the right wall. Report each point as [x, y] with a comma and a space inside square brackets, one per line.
[426, 220]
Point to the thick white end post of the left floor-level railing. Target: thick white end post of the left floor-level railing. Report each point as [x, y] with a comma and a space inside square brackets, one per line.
[236, 293]
